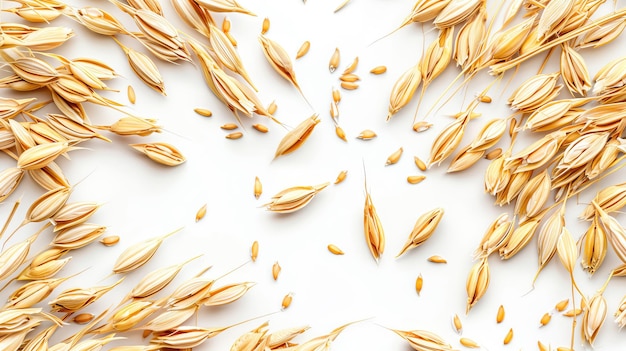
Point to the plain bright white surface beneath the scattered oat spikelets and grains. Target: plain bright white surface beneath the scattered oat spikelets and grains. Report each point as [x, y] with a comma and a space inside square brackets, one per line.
[142, 199]
